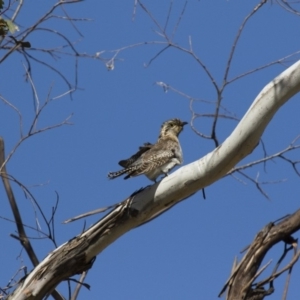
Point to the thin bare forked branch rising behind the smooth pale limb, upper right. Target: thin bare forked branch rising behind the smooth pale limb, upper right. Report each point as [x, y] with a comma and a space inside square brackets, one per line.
[168, 43]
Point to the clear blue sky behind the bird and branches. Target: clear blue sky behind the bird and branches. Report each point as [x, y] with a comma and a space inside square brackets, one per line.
[186, 253]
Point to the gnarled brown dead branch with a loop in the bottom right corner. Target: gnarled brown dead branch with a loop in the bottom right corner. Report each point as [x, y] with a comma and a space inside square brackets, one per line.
[241, 284]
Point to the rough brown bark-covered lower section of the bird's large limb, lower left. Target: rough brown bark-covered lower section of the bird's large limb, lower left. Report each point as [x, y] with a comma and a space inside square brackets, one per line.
[74, 257]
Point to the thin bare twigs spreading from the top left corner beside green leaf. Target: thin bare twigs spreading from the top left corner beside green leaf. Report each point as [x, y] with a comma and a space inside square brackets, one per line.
[16, 43]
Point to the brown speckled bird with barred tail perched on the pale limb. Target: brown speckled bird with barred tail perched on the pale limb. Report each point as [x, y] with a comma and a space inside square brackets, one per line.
[156, 159]
